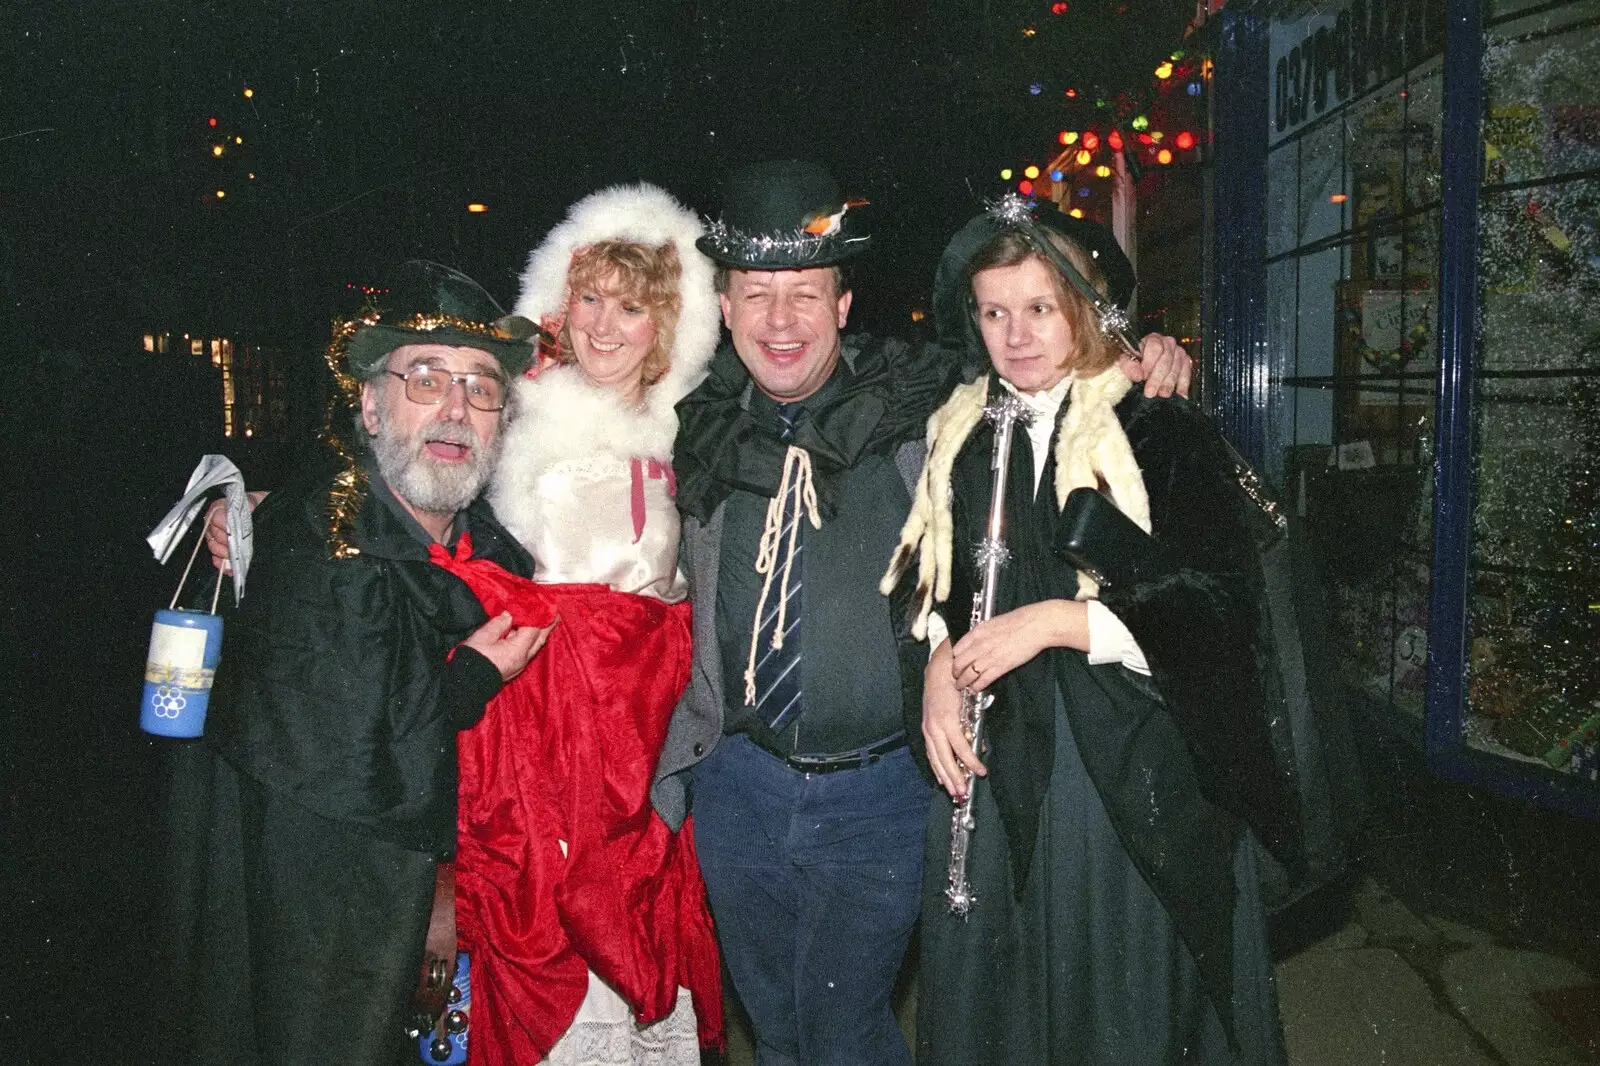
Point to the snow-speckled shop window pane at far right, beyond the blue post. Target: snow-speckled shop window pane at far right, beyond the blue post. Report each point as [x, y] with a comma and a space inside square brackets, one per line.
[1535, 571]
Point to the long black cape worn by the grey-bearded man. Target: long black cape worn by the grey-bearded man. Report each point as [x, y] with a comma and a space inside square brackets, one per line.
[306, 827]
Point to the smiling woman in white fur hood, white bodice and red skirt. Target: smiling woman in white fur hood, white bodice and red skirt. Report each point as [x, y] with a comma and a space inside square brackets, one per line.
[583, 913]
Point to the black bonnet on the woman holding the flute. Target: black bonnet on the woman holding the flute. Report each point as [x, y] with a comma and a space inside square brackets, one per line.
[953, 313]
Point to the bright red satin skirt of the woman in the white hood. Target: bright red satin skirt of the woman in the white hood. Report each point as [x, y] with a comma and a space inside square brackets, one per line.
[567, 753]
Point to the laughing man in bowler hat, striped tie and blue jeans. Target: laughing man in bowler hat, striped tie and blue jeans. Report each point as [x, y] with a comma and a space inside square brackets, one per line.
[796, 463]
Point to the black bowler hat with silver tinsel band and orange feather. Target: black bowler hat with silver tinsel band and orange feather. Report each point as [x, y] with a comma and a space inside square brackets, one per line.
[785, 215]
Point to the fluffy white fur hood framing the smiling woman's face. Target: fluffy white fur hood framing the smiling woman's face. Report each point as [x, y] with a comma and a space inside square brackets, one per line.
[650, 217]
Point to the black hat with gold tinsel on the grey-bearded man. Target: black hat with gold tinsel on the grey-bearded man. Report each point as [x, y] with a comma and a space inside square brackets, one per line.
[428, 303]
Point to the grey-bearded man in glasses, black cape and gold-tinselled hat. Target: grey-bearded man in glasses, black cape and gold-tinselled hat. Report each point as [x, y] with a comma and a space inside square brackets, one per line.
[313, 817]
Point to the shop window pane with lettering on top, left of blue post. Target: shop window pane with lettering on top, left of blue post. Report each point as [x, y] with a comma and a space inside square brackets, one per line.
[1353, 258]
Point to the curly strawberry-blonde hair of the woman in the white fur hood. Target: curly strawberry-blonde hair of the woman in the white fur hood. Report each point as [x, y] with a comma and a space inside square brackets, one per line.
[642, 275]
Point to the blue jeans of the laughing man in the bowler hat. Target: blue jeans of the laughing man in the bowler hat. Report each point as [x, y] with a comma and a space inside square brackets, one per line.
[815, 883]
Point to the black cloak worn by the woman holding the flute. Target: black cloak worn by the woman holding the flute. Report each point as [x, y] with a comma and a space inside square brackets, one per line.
[1186, 761]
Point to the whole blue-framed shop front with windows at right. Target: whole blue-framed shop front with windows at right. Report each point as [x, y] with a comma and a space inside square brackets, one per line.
[1402, 331]
